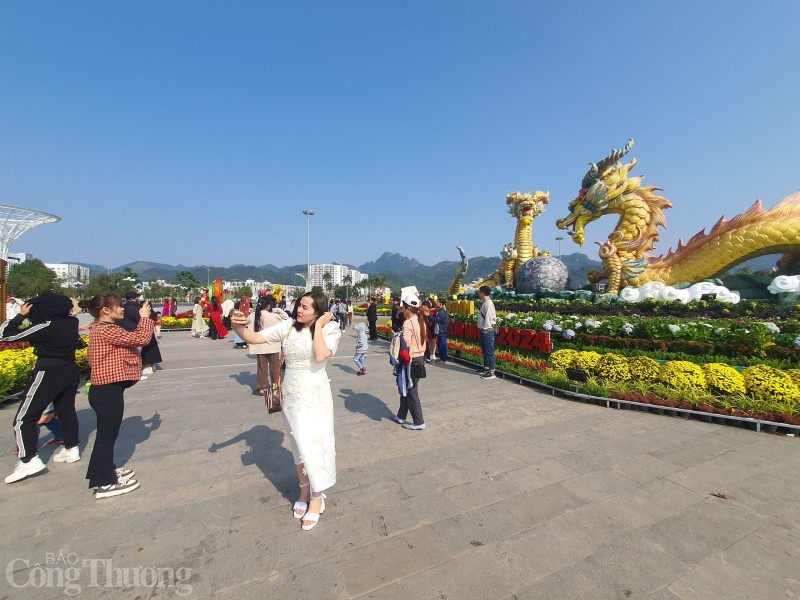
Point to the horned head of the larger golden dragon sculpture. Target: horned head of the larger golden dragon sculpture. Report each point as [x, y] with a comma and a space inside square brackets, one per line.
[603, 182]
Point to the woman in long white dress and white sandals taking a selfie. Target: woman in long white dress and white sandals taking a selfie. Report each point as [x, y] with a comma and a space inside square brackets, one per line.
[307, 341]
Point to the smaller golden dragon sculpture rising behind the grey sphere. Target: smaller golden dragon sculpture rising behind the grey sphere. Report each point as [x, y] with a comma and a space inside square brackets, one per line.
[524, 208]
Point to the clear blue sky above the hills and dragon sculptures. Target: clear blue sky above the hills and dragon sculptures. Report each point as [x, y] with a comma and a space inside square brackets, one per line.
[197, 132]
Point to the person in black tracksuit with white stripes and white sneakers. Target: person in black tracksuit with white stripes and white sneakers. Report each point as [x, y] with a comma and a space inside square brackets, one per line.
[53, 333]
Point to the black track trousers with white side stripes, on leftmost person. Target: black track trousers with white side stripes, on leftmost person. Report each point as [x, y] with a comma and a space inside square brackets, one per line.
[56, 384]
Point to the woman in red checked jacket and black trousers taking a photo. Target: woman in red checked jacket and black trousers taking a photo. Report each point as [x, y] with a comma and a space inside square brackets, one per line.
[116, 365]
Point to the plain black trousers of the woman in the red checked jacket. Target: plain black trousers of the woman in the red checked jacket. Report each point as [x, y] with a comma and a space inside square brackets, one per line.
[109, 406]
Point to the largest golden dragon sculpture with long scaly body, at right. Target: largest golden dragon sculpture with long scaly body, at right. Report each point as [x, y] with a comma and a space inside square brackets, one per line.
[607, 189]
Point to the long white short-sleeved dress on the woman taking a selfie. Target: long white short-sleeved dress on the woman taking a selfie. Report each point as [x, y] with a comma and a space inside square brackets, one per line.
[307, 400]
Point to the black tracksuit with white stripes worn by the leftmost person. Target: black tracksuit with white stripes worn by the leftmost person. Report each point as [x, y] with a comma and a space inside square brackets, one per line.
[55, 378]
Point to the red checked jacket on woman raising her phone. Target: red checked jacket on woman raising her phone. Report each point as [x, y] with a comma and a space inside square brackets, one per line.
[113, 353]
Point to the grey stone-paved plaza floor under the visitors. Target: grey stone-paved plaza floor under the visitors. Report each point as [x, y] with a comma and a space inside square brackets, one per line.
[509, 493]
